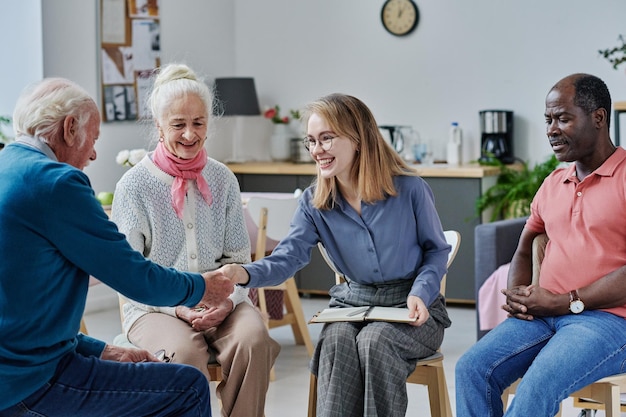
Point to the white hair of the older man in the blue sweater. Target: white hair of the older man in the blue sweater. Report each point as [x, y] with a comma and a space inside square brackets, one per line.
[42, 108]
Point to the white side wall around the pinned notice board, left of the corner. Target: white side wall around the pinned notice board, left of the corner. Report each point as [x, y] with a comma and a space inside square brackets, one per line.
[200, 34]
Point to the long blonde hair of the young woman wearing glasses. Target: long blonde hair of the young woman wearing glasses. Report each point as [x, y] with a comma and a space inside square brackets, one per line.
[376, 162]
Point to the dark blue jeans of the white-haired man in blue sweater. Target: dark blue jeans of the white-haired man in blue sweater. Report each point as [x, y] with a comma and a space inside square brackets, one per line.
[87, 386]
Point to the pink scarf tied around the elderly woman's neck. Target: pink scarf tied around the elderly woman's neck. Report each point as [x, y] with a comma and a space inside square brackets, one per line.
[182, 170]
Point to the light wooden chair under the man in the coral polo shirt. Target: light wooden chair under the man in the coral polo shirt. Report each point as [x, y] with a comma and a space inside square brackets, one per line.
[603, 394]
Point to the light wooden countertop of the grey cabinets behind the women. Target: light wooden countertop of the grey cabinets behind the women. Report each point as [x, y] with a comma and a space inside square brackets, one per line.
[435, 170]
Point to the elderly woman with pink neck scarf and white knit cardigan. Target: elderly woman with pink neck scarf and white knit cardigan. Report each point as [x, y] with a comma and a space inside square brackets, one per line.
[183, 209]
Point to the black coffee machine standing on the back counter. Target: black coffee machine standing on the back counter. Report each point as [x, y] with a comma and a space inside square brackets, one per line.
[496, 139]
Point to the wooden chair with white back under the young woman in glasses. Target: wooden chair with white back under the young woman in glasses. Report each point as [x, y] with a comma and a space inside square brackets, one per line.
[428, 371]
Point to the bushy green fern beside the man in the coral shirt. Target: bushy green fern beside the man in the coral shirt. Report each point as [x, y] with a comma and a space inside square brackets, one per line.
[514, 189]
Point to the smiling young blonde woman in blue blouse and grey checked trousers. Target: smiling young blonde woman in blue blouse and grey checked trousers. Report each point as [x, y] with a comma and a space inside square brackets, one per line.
[378, 222]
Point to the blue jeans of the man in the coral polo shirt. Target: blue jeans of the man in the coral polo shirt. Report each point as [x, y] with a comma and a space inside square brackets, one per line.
[555, 355]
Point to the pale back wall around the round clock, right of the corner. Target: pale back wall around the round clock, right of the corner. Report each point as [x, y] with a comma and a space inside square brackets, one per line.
[465, 56]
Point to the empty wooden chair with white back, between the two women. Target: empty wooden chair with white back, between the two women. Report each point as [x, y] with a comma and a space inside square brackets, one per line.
[274, 218]
